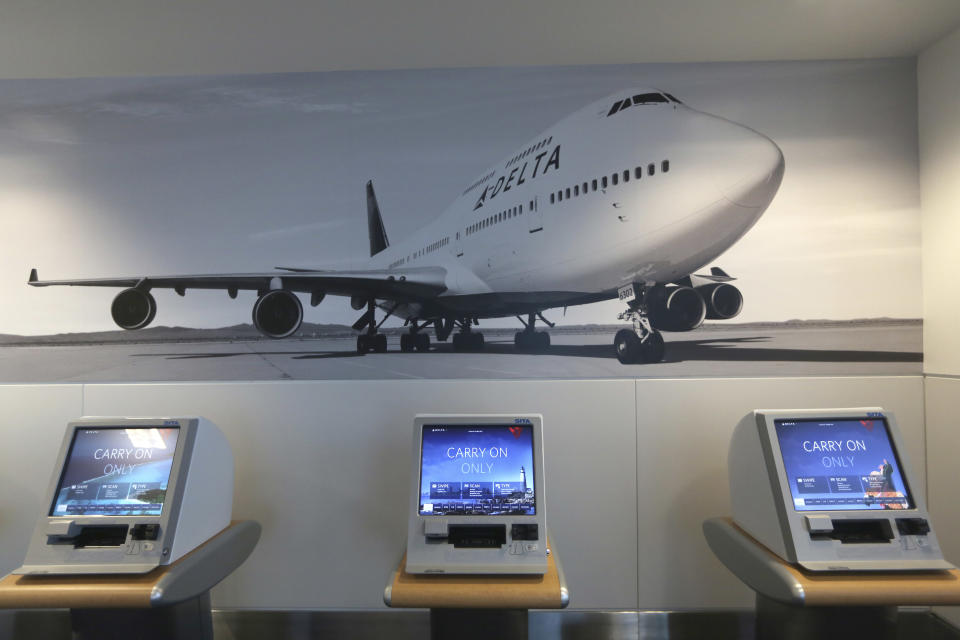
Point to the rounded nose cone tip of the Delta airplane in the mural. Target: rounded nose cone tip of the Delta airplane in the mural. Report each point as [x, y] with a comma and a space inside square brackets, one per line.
[754, 172]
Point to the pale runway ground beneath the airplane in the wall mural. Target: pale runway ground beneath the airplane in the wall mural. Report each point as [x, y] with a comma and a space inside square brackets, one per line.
[733, 352]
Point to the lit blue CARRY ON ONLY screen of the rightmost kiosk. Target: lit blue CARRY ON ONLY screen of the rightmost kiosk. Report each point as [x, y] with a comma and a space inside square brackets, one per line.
[841, 465]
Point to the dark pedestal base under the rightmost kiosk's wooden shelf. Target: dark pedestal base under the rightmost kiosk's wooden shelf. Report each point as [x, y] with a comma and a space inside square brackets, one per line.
[780, 621]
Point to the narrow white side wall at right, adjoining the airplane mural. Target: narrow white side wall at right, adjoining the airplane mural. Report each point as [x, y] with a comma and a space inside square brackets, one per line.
[938, 76]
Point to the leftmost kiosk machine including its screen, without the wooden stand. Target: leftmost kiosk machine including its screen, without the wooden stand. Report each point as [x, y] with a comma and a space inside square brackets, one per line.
[129, 494]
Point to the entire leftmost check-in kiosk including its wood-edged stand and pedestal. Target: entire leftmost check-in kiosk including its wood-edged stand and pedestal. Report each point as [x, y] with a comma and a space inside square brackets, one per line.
[135, 530]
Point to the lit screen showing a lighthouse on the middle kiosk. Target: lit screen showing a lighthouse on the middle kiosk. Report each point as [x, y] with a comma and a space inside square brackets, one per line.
[477, 470]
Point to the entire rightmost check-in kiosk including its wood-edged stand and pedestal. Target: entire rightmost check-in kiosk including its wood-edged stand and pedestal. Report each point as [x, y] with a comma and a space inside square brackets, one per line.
[828, 528]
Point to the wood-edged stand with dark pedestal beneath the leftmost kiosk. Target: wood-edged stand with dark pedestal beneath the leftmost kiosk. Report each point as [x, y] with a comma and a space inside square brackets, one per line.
[171, 602]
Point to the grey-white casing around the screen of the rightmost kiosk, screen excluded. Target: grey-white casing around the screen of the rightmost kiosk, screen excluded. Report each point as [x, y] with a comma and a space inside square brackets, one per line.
[827, 539]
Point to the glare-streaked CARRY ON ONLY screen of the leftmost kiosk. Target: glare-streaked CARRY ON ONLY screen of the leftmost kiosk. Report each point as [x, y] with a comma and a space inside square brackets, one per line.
[113, 471]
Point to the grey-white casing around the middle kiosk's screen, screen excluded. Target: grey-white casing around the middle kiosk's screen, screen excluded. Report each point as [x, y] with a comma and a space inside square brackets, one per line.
[430, 538]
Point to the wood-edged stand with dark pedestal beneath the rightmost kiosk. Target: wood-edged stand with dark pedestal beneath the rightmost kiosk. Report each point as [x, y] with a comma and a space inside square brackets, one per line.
[793, 603]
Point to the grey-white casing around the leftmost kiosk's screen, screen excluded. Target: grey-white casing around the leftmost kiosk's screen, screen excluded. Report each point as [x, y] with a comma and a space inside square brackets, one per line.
[197, 505]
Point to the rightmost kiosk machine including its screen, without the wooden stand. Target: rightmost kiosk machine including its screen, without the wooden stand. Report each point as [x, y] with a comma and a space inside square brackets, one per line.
[830, 490]
